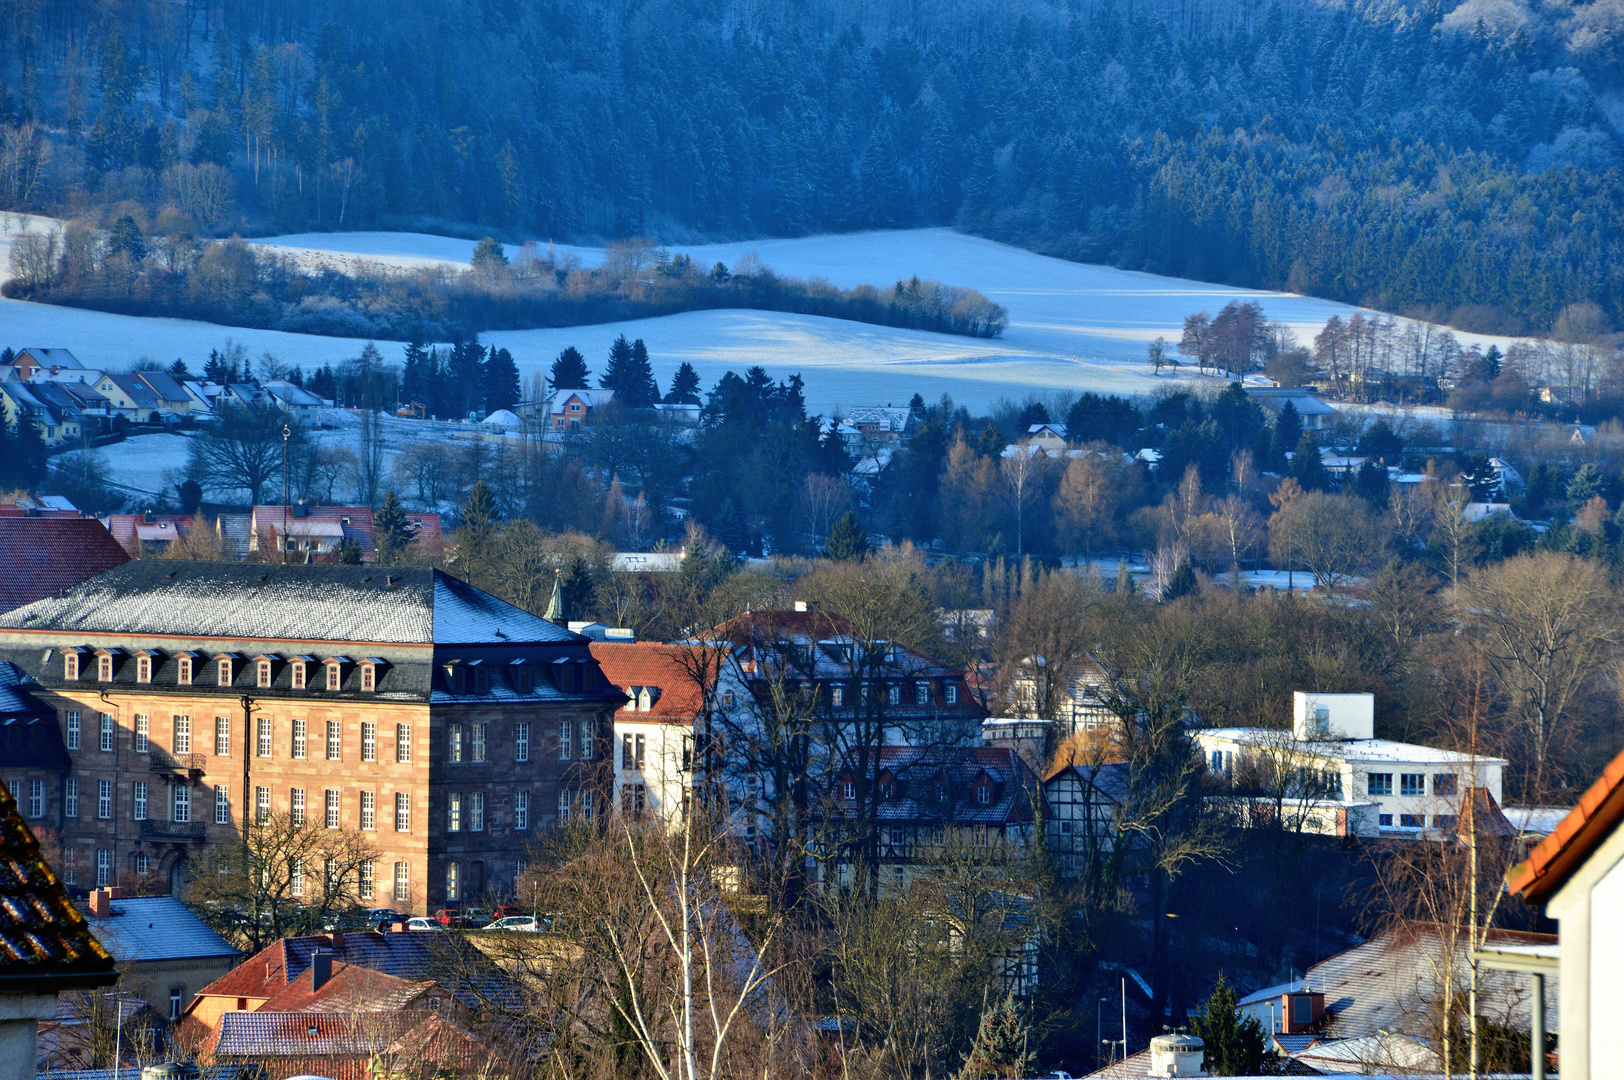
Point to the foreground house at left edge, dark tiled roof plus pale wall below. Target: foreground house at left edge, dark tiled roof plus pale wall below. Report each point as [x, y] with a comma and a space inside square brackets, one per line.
[50, 946]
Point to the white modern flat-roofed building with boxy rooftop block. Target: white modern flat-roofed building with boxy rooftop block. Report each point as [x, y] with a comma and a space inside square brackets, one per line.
[1334, 767]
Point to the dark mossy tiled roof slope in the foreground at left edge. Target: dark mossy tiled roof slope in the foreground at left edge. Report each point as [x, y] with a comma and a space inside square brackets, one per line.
[46, 946]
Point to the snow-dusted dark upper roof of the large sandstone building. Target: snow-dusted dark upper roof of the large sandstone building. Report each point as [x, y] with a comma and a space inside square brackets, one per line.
[316, 603]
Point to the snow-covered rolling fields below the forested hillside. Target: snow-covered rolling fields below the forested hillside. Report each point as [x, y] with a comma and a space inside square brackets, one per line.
[1073, 327]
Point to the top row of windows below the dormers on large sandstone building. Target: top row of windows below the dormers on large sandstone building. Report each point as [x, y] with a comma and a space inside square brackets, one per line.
[465, 743]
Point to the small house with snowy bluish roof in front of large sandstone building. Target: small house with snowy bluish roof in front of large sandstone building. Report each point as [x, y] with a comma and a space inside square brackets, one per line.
[165, 953]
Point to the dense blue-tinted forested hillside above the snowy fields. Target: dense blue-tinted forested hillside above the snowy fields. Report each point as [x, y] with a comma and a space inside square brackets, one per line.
[1454, 163]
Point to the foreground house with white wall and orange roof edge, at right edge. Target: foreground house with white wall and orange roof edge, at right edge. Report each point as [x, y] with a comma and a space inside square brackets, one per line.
[1578, 873]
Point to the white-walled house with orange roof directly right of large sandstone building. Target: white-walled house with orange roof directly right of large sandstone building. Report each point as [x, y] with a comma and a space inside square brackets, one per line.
[654, 732]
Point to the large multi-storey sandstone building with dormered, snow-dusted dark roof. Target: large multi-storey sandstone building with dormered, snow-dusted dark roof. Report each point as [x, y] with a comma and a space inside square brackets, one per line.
[439, 720]
